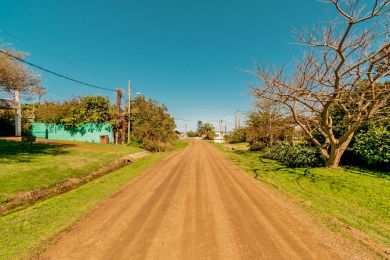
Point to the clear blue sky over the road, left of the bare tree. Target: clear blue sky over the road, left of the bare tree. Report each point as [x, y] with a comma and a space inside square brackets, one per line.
[188, 55]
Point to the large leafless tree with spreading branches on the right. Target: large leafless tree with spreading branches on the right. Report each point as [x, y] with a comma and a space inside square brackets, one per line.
[345, 67]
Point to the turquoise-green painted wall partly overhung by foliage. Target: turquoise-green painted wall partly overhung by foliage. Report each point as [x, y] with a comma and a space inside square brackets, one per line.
[85, 133]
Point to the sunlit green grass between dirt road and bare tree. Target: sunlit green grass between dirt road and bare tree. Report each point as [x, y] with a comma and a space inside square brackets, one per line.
[357, 198]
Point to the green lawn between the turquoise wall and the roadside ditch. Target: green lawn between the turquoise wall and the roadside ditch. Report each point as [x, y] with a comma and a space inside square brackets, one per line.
[24, 168]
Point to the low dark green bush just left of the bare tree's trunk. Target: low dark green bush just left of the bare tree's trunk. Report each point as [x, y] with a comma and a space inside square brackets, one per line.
[295, 155]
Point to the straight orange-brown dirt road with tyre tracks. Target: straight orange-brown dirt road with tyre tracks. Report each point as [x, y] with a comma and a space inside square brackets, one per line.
[193, 205]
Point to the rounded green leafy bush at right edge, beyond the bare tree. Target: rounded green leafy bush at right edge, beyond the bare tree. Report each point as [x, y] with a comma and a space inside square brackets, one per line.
[373, 144]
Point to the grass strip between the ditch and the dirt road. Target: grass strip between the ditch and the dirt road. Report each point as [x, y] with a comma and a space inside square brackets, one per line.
[23, 233]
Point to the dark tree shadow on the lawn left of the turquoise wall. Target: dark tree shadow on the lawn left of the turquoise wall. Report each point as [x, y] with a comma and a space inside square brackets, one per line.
[15, 151]
